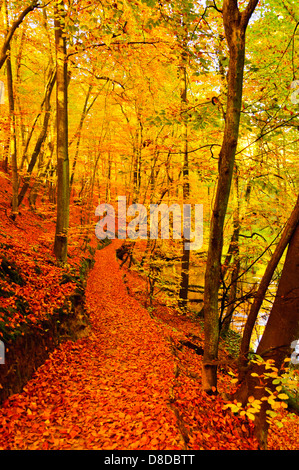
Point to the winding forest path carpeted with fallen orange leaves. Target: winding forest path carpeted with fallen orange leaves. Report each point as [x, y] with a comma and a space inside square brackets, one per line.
[109, 390]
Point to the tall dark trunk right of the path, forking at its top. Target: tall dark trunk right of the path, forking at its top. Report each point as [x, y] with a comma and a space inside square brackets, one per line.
[235, 24]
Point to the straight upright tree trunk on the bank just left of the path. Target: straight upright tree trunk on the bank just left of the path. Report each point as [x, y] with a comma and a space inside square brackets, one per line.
[62, 222]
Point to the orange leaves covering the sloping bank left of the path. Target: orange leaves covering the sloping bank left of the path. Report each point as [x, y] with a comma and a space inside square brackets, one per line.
[27, 246]
